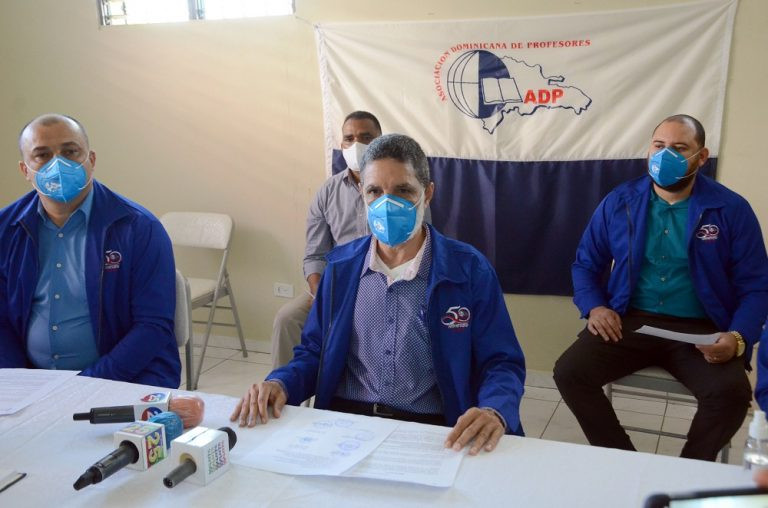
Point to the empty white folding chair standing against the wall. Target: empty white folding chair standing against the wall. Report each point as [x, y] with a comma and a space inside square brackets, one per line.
[208, 231]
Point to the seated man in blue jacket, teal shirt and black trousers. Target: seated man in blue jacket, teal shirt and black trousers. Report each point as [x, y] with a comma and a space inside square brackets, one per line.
[685, 254]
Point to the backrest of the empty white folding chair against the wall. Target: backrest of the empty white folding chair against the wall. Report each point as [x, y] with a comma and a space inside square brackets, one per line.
[198, 229]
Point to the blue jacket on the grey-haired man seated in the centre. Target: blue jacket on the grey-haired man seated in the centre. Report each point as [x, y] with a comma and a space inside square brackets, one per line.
[479, 365]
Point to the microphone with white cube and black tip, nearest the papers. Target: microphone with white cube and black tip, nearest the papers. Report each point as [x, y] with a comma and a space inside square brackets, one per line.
[202, 455]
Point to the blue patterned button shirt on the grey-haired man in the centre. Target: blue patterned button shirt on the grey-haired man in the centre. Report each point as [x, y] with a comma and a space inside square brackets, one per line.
[390, 353]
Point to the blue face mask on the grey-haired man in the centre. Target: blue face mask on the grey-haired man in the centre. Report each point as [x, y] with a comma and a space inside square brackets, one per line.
[392, 219]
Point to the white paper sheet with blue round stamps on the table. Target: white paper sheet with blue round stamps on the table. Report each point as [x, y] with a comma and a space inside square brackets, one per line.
[319, 445]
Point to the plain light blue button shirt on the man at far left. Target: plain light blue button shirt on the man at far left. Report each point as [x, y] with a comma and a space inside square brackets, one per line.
[60, 335]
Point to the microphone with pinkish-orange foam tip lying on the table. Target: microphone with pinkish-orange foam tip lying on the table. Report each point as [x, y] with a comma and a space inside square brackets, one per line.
[189, 407]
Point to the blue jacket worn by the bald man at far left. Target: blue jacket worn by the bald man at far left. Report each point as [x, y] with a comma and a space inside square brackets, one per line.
[130, 284]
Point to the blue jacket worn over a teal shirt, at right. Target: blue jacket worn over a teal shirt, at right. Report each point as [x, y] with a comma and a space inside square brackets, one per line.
[726, 255]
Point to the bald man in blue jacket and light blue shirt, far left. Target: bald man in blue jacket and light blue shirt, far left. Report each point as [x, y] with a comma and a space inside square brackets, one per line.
[87, 278]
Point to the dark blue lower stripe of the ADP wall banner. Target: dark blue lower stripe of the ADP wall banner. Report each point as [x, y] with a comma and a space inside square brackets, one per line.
[526, 217]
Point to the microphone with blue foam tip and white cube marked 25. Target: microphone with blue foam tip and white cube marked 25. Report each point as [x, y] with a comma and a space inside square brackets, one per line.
[139, 446]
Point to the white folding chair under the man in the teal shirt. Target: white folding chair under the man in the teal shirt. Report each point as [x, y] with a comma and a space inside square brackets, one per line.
[669, 389]
